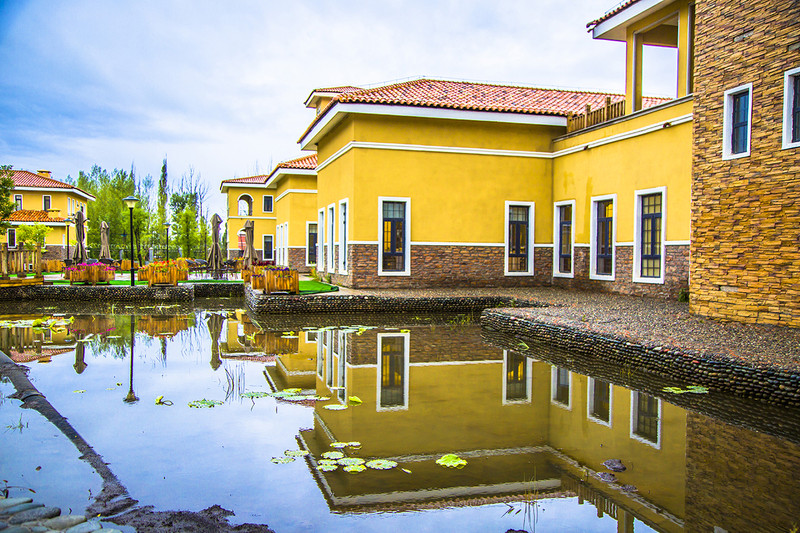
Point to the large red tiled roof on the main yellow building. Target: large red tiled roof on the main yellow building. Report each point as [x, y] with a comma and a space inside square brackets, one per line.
[469, 96]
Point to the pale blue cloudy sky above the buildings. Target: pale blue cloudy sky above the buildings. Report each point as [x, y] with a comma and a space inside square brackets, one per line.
[218, 87]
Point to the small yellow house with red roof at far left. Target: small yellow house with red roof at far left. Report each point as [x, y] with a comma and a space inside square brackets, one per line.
[41, 199]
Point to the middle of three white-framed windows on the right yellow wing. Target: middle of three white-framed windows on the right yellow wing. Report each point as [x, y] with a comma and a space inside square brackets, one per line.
[603, 237]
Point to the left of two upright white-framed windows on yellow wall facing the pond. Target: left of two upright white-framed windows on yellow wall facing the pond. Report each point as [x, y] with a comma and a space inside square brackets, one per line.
[394, 231]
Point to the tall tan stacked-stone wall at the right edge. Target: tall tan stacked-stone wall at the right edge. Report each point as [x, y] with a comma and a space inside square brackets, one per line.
[746, 211]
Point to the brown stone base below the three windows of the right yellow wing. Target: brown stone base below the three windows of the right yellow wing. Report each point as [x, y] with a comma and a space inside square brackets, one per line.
[676, 277]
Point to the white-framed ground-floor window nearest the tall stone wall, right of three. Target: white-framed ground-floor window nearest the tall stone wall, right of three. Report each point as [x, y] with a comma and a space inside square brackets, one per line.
[649, 229]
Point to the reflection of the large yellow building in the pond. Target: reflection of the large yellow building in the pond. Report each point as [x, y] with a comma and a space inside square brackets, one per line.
[523, 425]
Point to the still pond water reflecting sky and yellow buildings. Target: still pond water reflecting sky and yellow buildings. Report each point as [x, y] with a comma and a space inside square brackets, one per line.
[410, 389]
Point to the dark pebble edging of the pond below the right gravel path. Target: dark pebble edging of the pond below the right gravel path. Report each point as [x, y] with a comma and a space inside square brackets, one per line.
[771, 385]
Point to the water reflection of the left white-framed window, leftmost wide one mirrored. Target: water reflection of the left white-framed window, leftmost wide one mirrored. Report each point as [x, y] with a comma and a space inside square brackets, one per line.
[393, 364]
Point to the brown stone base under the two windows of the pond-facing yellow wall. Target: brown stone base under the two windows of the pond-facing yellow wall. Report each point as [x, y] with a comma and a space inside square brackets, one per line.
[444, 266]
